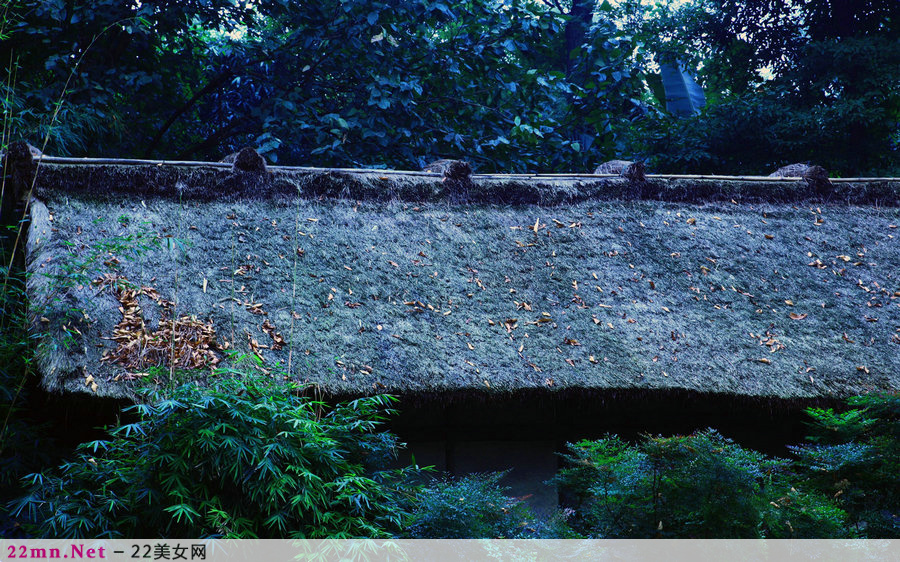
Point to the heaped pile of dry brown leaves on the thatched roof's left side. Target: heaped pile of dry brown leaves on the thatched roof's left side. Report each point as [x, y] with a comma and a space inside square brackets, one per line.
[187, 342]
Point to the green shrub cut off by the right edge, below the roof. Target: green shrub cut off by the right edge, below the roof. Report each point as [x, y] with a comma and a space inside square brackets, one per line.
[855, 457]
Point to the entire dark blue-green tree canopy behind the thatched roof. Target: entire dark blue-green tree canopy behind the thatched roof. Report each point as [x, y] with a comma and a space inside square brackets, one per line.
[511, 85]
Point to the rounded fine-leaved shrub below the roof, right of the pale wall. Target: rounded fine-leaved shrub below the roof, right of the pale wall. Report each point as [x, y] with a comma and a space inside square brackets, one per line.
[698, 486]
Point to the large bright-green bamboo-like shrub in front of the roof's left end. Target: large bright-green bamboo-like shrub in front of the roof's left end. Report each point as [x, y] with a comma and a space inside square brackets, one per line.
[240, 459]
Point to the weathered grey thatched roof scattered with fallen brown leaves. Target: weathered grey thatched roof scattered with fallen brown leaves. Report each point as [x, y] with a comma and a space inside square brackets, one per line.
[372, 281]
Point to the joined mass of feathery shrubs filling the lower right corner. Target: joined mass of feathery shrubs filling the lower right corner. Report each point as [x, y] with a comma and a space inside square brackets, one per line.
[843, 483]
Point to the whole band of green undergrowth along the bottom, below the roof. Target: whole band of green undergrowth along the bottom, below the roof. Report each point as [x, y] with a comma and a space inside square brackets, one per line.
[247, 458]
